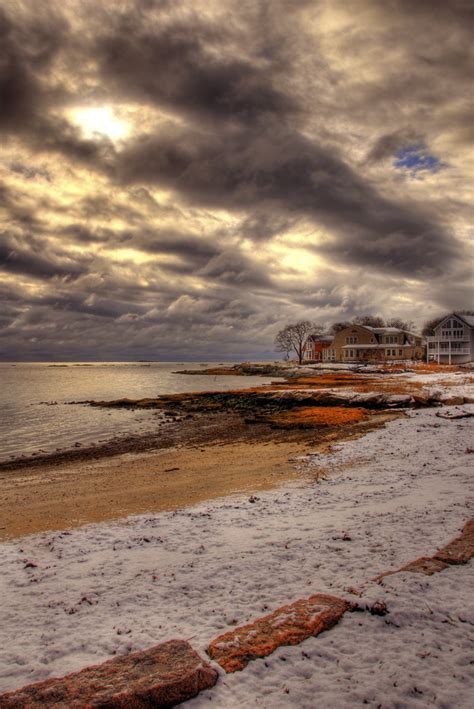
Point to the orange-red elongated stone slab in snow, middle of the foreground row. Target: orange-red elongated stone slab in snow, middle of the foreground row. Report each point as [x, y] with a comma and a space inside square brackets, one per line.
[288, 625]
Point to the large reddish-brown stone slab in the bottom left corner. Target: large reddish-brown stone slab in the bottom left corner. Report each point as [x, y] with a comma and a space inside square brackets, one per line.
[162, 676]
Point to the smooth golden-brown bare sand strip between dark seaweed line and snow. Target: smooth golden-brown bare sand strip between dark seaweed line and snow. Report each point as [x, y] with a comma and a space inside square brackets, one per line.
[55, 497]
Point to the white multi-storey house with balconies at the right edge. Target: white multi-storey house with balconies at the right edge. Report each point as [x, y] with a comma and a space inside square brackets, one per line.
[453, 340]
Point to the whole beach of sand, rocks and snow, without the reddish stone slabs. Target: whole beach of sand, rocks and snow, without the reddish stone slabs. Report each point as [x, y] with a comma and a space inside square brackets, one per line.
[115, 553]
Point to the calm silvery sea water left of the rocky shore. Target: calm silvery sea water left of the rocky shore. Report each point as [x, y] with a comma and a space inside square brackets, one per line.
[30, 423]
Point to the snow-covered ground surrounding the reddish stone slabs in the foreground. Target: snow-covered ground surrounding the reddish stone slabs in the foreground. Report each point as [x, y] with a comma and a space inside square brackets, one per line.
[76, 598]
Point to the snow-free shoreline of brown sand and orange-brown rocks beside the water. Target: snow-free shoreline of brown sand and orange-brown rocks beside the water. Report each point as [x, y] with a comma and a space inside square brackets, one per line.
[213, 444]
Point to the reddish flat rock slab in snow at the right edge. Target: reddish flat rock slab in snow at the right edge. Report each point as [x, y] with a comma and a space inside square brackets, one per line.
[459, 551]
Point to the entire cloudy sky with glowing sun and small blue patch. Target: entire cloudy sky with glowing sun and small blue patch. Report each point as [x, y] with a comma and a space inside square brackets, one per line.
[179, 179]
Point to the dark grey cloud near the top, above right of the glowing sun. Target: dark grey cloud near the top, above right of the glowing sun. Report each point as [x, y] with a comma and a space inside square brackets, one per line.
[187, 66]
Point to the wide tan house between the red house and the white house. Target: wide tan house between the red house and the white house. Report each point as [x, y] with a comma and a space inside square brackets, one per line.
[360, 343]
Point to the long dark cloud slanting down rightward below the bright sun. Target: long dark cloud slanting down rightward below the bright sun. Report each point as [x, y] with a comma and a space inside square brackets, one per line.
[294, 176]
